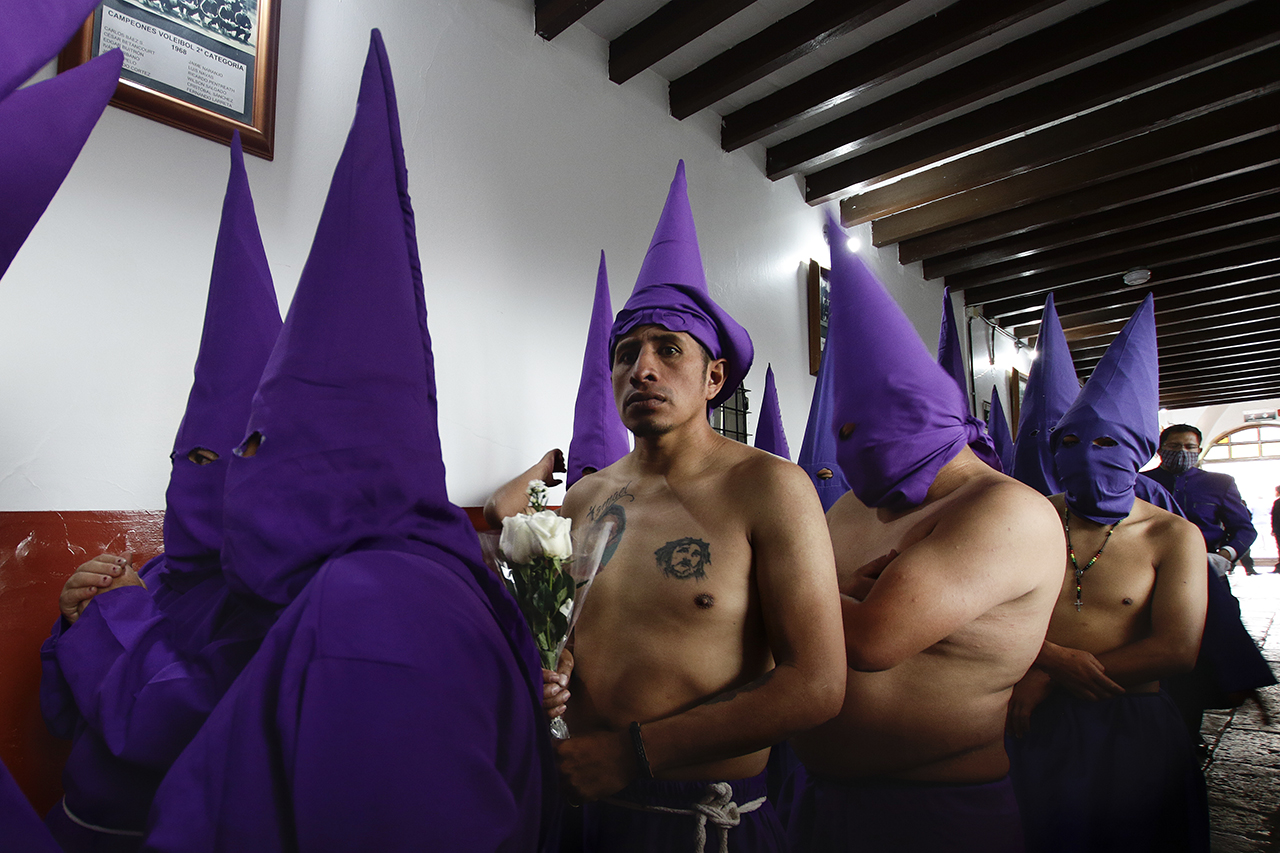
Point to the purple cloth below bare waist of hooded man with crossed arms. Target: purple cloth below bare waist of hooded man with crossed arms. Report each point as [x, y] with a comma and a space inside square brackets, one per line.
[903, 818]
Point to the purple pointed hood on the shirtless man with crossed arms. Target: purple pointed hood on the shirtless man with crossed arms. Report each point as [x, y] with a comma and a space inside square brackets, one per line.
[899, 417]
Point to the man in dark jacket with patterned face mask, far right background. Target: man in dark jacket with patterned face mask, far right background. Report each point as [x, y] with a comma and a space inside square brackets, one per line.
[1212, 501]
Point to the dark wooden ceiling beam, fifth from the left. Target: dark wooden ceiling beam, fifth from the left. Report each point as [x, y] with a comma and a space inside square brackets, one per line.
[1044, 52]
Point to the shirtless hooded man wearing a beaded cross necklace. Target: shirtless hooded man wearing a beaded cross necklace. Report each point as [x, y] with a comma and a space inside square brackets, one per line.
[1100, 758]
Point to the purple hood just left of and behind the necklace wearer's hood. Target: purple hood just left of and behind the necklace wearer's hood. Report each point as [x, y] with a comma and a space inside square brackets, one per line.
[1052, 387]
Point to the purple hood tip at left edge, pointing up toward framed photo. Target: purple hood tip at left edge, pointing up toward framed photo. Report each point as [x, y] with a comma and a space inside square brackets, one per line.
[43, 130]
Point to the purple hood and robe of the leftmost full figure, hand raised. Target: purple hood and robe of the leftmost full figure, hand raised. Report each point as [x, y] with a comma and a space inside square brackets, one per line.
[144, 668]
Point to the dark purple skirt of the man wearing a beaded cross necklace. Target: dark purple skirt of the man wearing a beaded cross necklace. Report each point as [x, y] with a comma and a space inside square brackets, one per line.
[1112, 777]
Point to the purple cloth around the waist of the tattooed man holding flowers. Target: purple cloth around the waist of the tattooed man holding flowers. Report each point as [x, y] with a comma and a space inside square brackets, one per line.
[610, 828]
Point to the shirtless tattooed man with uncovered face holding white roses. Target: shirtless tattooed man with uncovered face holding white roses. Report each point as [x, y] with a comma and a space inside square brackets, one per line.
[714, 627]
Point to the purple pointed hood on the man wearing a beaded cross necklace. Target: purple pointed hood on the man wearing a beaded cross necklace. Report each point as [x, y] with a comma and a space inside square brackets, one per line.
[1116, 423]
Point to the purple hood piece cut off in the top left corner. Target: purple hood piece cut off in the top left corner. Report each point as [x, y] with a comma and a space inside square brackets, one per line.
[34, 33]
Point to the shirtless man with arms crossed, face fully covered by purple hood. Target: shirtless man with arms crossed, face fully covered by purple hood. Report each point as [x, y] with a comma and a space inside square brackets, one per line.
[948, 572]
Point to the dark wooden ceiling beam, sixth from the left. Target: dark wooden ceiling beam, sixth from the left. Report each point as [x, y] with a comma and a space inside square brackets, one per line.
[1233, 34]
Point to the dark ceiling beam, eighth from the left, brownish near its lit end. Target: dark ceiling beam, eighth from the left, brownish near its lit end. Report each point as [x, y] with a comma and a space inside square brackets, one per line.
[1168, 144]
